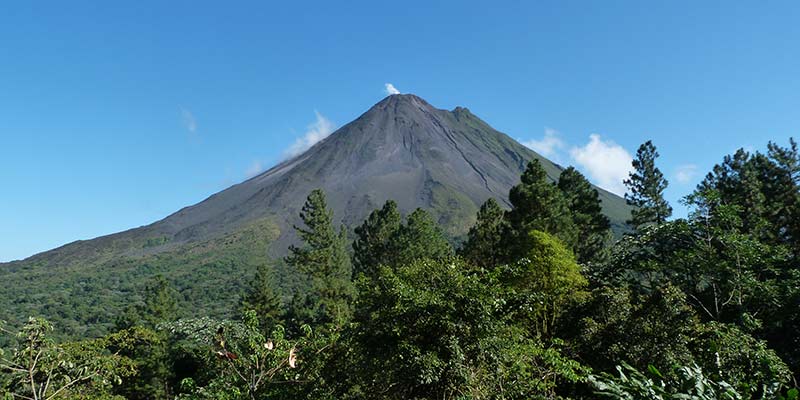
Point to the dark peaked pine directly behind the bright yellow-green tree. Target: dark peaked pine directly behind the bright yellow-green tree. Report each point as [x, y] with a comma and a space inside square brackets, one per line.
[537, 204]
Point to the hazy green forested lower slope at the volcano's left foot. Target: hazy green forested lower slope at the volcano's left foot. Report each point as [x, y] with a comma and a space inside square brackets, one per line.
[86, 300]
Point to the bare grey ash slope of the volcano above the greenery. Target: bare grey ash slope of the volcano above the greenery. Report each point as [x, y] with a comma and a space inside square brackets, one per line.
[402, 148]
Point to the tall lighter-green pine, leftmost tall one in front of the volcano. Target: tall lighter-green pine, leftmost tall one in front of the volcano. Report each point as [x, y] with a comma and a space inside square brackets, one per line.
[324, 261]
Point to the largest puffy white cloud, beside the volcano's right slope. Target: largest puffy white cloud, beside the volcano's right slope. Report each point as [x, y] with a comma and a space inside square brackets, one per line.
[606, 162]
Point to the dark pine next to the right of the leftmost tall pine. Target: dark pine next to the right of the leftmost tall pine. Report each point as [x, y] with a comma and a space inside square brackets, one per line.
[373, 245]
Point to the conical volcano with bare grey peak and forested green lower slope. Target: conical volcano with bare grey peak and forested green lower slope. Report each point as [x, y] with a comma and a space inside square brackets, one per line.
[448, 162]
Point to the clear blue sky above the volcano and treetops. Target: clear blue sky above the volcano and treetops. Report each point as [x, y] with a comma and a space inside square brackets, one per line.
[113, 116]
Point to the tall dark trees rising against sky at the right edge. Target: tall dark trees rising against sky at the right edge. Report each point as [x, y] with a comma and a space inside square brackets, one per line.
[749, 205]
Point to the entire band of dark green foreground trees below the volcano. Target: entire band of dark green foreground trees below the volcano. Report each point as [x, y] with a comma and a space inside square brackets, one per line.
[538, 303]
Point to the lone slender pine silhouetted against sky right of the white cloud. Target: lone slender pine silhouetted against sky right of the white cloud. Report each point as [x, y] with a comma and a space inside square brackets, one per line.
[646, 186]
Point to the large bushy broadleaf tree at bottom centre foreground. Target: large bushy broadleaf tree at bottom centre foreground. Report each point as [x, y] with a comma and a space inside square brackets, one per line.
[433, 329]
